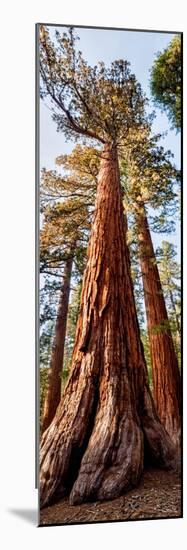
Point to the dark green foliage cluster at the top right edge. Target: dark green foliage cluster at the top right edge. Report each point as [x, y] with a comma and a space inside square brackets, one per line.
[166, 81]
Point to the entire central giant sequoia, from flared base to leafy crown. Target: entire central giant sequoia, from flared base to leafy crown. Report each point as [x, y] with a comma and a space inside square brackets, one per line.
[106, 424]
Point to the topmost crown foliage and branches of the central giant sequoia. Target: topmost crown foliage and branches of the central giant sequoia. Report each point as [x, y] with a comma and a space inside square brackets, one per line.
[91, 102]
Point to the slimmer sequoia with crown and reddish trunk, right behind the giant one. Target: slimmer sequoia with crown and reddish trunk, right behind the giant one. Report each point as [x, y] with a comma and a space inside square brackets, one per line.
[150, 181]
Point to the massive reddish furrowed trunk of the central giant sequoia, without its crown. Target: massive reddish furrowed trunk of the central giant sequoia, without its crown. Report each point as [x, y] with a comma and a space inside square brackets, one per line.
[94, 448]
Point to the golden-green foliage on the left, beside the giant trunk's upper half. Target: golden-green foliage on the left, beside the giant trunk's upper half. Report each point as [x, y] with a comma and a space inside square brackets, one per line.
[67, 208]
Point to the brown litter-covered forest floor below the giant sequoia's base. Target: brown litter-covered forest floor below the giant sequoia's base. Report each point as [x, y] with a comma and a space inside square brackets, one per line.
[158, 495]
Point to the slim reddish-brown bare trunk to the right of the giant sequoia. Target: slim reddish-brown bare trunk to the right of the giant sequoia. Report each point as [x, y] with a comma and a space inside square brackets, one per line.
[166, 375]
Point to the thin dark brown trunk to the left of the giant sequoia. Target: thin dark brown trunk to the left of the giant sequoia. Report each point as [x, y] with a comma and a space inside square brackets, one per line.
[53, 394]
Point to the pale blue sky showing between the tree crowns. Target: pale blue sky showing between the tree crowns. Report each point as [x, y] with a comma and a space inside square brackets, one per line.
[140, 49]
